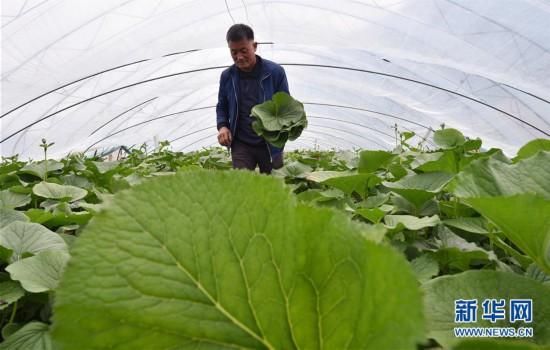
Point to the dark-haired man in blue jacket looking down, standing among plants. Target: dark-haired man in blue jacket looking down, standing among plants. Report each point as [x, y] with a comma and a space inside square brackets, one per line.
[249, 81]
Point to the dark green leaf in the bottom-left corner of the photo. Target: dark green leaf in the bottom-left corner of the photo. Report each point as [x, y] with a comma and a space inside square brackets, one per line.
[33, 336]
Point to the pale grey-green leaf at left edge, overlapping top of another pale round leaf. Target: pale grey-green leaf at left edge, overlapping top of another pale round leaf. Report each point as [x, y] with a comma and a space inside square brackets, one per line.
[24, 237]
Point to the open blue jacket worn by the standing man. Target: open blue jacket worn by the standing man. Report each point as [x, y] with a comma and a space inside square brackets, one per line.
[272, 79]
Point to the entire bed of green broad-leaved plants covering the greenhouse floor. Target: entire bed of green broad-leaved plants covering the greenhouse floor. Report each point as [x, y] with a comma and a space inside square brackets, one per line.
[331, 240]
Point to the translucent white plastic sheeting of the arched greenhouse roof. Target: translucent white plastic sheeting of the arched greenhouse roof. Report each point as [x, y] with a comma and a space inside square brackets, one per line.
[91, 75]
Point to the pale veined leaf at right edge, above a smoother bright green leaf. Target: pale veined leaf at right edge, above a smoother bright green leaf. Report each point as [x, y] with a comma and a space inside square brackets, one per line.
[490, 177]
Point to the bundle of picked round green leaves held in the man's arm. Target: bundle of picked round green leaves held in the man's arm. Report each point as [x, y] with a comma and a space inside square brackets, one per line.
[280, 119]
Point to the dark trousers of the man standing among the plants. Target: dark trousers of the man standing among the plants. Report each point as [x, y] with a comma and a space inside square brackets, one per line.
[245, 156]
